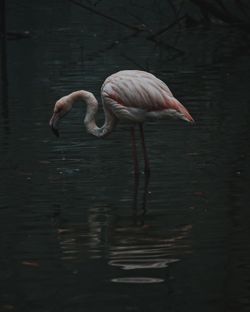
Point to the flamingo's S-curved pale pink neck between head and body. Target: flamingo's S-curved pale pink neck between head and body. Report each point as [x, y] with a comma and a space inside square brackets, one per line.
[92, 108]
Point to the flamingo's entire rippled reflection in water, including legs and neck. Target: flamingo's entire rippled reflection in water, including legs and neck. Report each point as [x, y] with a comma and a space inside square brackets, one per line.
[127, 243]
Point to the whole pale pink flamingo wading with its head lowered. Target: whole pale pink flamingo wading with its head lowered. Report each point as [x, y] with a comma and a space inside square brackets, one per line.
[128, 95]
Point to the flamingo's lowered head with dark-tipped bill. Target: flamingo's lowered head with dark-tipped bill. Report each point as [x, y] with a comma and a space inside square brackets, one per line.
[61, 108]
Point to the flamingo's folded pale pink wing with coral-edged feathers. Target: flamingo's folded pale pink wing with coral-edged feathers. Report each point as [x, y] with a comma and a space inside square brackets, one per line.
[142, 90]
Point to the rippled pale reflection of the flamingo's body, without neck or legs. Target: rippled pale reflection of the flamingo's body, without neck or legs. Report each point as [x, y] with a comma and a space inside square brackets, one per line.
[137, 249]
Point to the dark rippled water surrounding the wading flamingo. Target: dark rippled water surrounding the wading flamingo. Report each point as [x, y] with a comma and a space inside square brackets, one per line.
[76, 232]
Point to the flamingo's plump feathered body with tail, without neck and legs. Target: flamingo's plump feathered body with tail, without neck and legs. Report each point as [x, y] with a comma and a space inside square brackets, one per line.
[134, 95]
